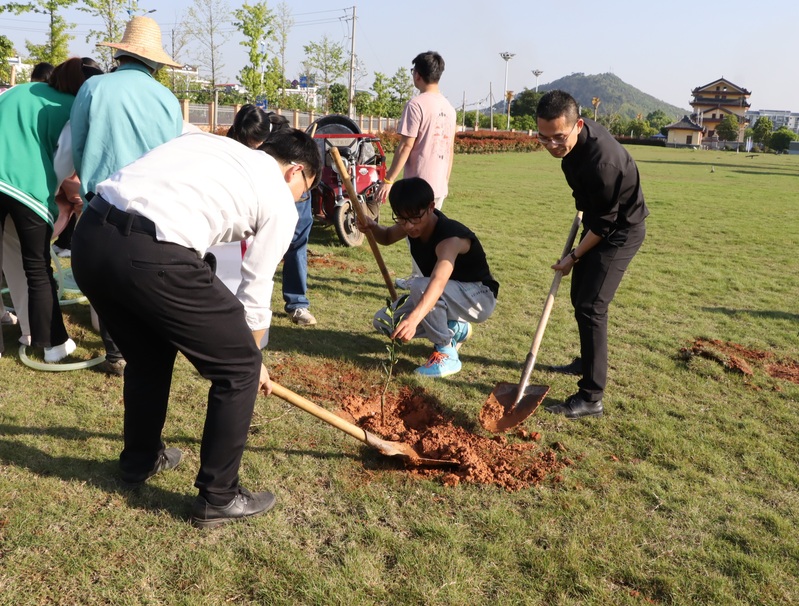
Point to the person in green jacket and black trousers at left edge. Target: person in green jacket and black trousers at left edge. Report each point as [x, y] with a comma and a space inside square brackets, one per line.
[35, 156]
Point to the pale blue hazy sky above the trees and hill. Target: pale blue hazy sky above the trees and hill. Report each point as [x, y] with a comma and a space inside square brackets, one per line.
[665, 52]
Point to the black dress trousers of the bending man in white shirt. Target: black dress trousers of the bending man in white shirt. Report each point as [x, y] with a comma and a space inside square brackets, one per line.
[157, 299]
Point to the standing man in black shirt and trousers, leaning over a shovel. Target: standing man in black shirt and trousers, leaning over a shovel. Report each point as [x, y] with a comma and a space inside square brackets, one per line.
[606, 187]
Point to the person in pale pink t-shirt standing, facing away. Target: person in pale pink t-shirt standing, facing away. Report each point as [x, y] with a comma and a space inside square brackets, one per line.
[427, 131]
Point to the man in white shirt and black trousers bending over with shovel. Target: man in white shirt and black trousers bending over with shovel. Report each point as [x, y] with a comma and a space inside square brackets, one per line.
[138, 254]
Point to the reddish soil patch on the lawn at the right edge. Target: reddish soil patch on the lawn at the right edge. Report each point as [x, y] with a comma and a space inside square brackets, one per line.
[738, 358]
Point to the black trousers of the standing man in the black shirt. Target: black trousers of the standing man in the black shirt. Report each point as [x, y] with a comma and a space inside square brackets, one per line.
[595, 280]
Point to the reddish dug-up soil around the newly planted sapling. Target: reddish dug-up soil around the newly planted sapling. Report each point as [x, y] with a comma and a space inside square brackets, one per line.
[413, 417]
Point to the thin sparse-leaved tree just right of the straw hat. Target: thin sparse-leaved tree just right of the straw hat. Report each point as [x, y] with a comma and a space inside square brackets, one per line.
[204, 24]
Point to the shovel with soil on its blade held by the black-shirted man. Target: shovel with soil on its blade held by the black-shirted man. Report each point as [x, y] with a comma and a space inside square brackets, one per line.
[509, 404]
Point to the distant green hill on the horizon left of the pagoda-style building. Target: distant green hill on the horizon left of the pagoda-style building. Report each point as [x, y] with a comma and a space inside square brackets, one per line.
[616, 96]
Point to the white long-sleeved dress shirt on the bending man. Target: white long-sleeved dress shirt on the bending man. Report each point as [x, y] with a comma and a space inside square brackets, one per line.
[201, 190]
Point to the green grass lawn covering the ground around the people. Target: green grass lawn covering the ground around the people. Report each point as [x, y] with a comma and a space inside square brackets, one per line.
[686, 492]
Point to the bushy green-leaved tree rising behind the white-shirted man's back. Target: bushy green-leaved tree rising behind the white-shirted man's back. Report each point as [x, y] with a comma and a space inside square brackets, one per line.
[255, 22]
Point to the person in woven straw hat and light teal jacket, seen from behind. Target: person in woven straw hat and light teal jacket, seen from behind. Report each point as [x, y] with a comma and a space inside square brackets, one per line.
[121, 117]
